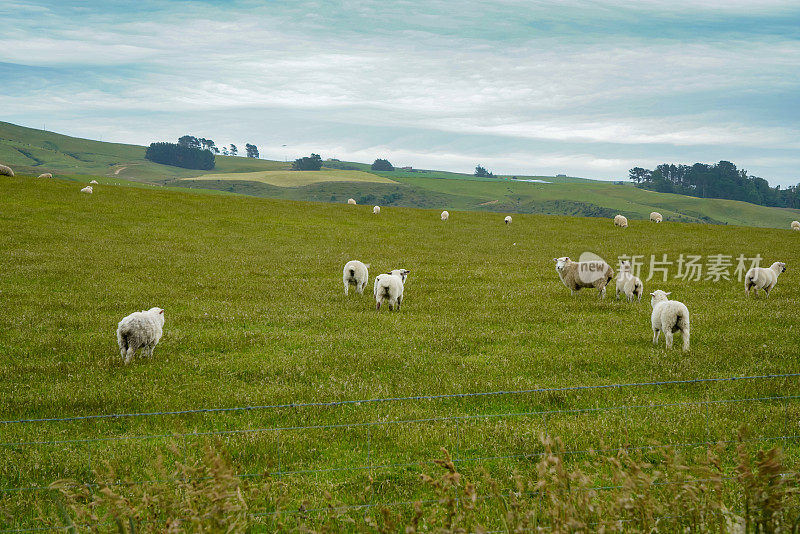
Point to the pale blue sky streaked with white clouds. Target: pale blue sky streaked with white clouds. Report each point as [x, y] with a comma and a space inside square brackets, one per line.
[587, 88]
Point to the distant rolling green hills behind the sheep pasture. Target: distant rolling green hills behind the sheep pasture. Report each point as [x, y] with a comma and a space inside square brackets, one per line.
[31, 151]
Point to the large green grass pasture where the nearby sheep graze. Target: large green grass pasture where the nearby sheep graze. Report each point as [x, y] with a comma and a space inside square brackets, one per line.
[255, 315]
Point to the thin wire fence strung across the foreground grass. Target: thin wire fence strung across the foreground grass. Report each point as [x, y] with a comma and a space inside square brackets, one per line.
[386, 442]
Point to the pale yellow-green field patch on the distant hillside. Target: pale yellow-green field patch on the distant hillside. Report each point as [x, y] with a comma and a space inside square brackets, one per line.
[297, 178]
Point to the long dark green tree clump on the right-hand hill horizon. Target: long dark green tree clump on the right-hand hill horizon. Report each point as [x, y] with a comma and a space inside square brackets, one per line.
[718, 180]
